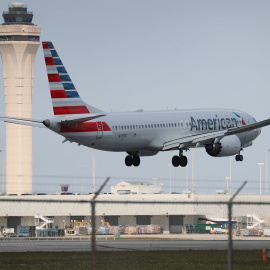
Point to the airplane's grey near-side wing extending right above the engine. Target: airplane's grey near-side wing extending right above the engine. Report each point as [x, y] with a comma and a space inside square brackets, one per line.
[205, 138]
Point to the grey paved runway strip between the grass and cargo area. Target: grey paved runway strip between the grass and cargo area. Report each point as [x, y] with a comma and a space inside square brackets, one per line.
[22, 245]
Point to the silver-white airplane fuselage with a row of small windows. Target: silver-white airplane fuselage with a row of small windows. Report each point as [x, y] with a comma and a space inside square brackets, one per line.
[146, 132]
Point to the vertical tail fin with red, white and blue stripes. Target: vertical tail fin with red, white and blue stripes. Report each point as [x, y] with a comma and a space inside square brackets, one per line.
[65, 98]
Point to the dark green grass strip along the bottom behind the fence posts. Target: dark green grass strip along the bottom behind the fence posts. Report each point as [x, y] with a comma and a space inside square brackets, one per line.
[133, 260]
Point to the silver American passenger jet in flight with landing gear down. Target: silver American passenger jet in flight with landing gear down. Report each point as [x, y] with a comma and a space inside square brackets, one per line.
[222, 132]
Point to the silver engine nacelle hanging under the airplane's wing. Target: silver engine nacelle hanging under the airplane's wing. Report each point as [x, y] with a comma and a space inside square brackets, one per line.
[227, 146]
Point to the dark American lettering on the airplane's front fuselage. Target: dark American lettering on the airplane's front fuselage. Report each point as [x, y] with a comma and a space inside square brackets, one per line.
[212, 124]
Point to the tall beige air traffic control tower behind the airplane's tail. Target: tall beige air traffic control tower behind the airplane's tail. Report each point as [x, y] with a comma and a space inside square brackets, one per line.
[19, 42]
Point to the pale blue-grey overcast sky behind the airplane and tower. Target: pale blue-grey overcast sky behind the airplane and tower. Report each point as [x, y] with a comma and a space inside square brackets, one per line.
[153, 55]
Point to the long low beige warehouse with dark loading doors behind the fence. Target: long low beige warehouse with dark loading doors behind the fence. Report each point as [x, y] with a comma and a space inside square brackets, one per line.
[63, 210]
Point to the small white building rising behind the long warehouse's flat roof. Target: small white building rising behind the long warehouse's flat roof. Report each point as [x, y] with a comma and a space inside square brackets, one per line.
[136, 187]
